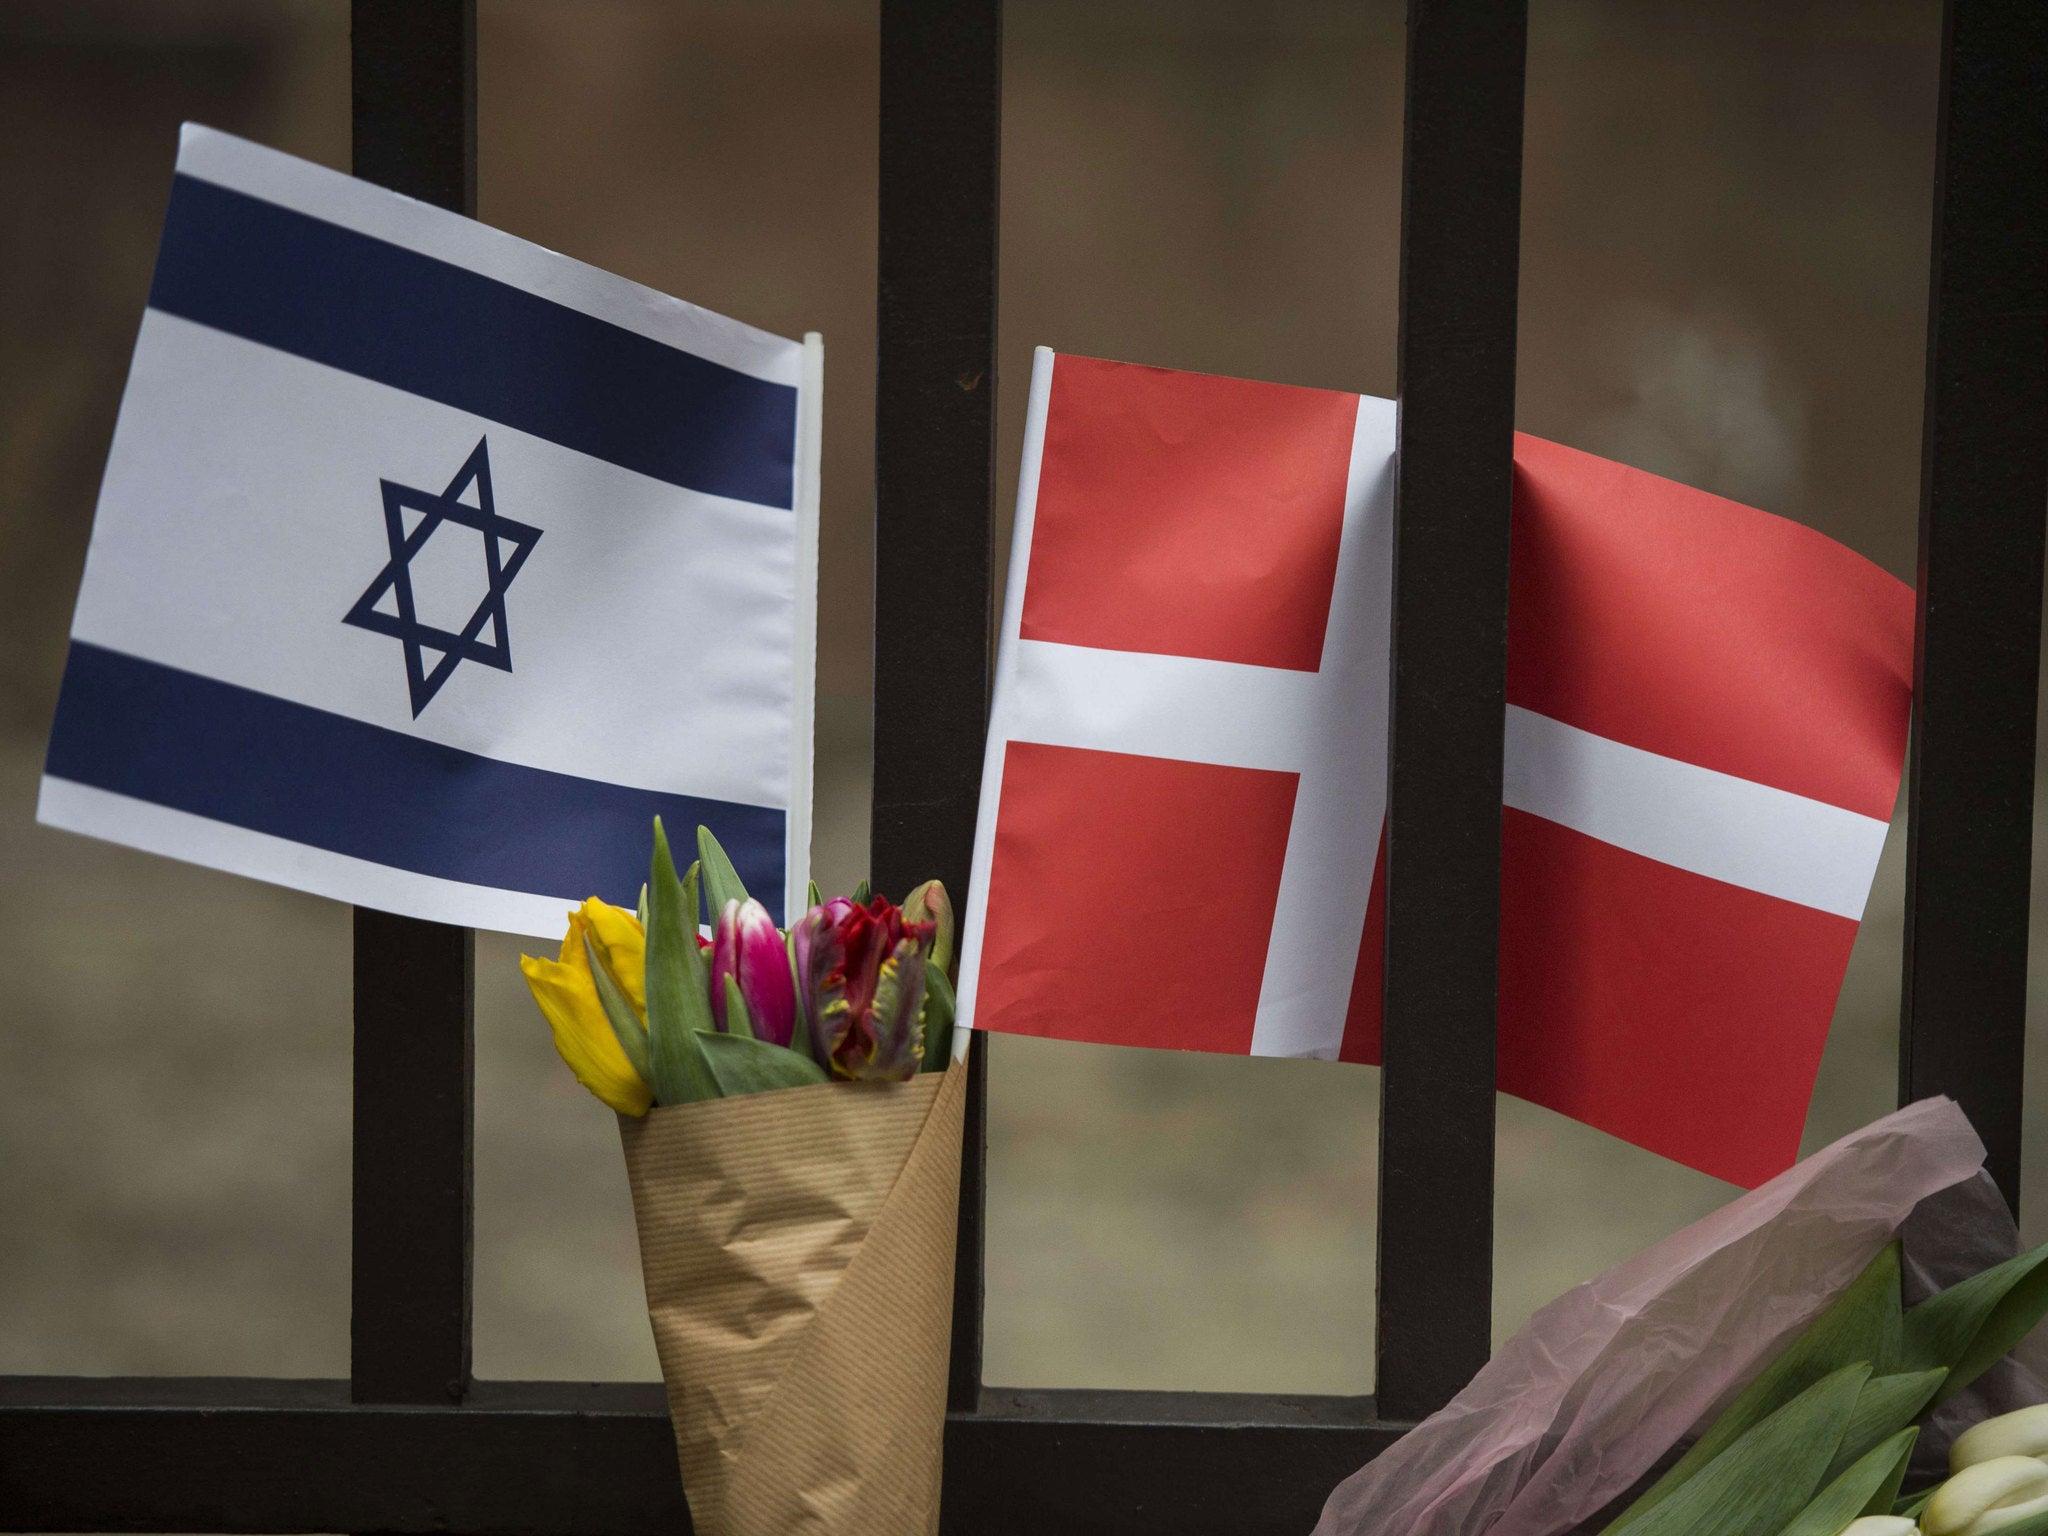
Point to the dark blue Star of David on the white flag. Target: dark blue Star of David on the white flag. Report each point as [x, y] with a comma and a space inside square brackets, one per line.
[507, 546]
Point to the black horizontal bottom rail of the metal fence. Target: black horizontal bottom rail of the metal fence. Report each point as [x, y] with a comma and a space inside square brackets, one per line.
[554, 1459]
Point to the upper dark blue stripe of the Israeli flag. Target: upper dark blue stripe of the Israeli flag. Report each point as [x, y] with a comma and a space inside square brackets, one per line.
[415, 323]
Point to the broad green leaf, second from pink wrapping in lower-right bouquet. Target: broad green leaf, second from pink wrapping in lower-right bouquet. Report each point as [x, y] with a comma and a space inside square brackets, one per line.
[1770, 1474]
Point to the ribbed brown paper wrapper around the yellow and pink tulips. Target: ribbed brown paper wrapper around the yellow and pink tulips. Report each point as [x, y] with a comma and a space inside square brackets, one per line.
[798, 1252]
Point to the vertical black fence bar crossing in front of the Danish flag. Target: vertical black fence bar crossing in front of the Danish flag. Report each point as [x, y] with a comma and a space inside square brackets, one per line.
[1461, 216]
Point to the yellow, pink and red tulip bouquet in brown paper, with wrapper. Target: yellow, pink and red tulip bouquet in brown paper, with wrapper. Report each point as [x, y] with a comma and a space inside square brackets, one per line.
[792, 1121]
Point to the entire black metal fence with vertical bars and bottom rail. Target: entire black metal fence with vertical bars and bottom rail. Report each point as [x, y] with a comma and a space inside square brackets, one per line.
[413, 1445]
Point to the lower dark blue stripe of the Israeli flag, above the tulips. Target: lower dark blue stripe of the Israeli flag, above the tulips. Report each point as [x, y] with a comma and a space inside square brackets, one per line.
[263, 763]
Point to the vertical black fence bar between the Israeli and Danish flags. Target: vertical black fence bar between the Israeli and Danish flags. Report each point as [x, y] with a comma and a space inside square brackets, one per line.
[935, 488]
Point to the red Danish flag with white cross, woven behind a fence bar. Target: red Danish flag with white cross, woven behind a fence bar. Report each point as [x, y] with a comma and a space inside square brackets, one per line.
[1185, 796]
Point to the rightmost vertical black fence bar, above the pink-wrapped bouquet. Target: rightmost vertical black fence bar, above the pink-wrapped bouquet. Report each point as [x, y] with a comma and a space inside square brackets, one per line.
[1977, 650]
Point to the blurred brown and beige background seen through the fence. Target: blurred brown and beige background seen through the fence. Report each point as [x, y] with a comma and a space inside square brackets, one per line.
[1725, 271]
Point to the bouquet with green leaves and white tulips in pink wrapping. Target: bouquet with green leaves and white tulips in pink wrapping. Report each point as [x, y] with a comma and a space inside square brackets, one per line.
[1846, 1349]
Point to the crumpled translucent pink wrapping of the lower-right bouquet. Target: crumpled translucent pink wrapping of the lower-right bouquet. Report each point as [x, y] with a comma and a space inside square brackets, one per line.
[1578, 1406]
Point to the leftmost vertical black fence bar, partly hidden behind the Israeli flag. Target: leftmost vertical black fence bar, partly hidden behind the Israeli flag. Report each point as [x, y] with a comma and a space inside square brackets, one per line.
[415, 93]
